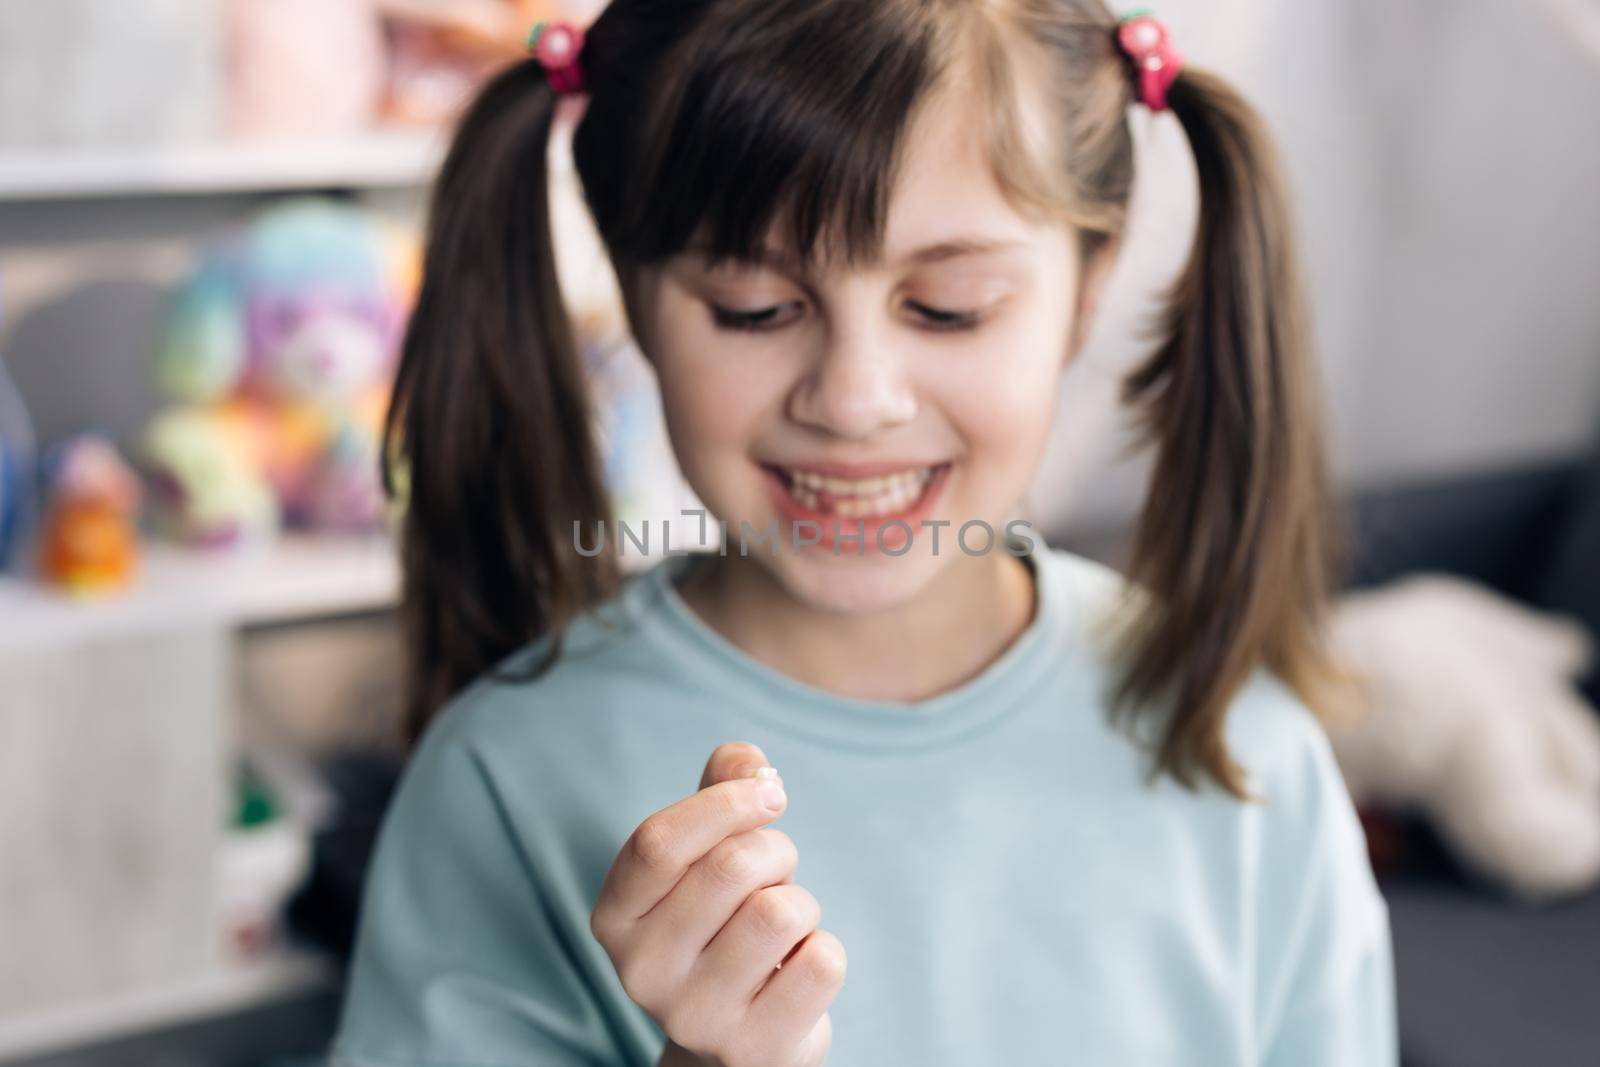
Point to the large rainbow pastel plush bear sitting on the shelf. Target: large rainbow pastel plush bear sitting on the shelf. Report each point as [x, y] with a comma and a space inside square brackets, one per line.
[279, 354]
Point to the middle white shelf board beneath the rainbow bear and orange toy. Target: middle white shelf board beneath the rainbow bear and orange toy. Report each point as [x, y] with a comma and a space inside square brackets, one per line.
[297, 578]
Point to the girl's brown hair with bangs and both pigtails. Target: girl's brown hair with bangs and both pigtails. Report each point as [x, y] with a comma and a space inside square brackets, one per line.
[729, 118]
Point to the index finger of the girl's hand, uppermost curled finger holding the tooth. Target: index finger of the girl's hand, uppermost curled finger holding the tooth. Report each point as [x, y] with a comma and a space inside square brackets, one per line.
[671, 841]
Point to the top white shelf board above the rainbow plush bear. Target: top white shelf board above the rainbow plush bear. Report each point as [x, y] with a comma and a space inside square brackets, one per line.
[378, 159]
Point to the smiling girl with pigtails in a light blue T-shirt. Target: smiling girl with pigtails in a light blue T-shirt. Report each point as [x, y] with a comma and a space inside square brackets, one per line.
[1054, 815]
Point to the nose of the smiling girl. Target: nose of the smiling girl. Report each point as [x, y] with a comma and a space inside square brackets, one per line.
[855, 388]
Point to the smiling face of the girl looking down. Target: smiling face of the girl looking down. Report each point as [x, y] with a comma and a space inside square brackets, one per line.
[918, 391]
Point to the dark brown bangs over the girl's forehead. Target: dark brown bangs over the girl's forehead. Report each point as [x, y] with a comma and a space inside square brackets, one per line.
[788, 119]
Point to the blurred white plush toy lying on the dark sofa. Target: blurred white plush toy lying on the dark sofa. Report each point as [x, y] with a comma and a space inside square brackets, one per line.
[1473, 719]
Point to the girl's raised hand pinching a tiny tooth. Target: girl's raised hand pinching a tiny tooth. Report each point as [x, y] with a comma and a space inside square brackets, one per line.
[711, 937]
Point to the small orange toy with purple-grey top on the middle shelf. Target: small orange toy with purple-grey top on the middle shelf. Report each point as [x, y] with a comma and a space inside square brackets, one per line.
[89, 543]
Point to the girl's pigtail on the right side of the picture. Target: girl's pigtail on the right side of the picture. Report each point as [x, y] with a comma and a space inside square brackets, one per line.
[1238, 538]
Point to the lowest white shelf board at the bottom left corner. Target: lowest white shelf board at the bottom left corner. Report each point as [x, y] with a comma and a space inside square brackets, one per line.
[281, 977]
